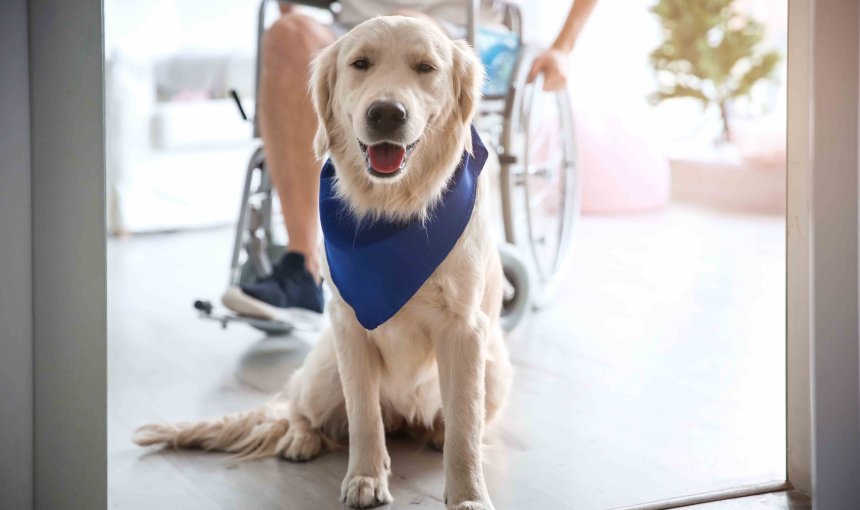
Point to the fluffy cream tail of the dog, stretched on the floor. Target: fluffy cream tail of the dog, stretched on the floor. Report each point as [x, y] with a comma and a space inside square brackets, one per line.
[253, 434]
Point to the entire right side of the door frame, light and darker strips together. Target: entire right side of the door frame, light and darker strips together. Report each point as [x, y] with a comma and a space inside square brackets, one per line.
[823, 387]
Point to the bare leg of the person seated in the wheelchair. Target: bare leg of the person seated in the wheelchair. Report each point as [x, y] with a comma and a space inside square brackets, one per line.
[288, 123]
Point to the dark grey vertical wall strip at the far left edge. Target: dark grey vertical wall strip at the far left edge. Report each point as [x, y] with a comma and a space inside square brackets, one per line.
[16, 348]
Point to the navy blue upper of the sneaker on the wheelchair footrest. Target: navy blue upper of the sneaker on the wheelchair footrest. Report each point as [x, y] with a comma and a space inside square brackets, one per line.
[290, 285]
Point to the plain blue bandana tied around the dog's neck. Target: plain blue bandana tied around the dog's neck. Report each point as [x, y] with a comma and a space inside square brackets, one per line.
[378, 266]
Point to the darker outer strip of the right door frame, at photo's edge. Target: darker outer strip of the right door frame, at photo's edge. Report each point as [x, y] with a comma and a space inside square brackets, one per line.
[834, 139]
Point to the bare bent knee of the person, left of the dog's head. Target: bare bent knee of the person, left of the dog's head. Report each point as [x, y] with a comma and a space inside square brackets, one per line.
[293, 39]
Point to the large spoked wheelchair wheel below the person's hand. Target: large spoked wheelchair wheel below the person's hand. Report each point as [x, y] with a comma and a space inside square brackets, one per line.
[540, 185]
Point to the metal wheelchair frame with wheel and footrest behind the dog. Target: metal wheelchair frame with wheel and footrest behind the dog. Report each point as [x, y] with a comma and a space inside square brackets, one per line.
[527, 282]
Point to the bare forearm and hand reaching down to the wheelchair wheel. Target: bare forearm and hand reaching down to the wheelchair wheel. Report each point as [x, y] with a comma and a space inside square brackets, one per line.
[552, 63]
